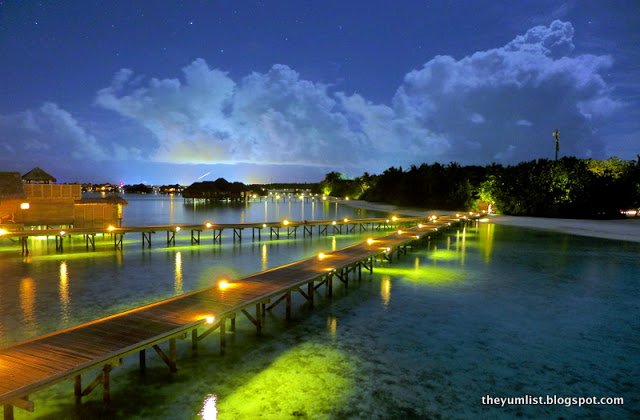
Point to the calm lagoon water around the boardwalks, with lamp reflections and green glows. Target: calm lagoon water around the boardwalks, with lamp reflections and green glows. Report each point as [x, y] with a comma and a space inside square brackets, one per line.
[485, 310]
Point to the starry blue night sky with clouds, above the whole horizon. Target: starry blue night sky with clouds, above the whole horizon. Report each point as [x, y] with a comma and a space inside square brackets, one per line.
[174, 91]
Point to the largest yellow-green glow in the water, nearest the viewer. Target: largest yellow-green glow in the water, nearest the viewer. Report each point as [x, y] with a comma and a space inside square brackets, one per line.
[310, 381]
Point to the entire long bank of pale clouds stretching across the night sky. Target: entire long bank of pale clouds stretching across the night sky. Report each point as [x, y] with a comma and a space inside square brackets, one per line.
[476, 109]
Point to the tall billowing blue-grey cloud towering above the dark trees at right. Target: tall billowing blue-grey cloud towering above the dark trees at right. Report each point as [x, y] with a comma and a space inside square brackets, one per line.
[529, 79]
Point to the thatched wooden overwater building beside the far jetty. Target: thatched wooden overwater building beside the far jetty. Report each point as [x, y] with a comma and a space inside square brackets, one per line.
[33, 200]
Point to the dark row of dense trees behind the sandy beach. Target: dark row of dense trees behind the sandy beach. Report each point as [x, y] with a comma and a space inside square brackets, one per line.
[568, 187]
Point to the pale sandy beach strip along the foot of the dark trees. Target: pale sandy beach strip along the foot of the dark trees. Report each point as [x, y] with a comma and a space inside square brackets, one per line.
[623, 230]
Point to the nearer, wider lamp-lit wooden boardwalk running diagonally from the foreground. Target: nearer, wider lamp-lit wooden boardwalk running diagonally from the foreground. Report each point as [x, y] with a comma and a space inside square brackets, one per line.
[29, 366]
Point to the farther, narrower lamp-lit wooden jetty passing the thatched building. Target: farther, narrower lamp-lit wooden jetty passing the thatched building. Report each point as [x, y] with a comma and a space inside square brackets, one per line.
[274, 230]
